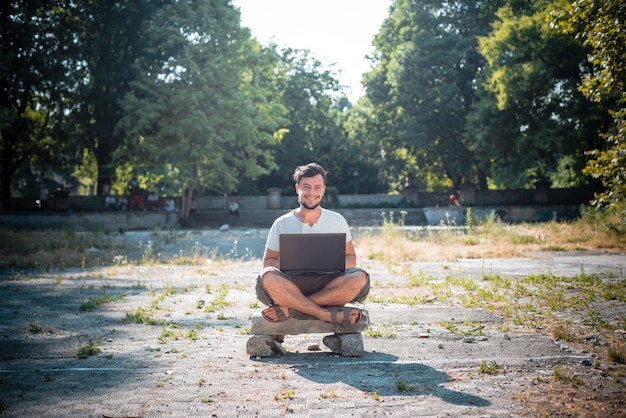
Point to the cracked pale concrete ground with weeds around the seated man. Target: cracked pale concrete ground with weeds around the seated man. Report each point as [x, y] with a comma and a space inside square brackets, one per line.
[193, 361]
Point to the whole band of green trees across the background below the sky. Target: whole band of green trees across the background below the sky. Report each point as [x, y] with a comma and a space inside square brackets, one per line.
[491, 93]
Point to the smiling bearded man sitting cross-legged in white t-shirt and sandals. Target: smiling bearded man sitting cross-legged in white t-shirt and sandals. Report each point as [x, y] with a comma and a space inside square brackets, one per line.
[321, 296]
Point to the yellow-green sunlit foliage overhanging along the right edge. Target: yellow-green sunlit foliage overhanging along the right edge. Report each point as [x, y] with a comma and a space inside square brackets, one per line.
[599, 25]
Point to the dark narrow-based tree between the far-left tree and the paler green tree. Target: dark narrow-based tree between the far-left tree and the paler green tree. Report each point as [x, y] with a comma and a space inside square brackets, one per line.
[112, 38]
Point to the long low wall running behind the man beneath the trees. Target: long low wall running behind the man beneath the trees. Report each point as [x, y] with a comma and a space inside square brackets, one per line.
[262, 218]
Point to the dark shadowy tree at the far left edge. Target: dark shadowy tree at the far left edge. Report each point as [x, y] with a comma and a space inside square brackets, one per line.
[37, 81]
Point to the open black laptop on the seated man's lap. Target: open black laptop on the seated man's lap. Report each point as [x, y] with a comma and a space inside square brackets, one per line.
[312, 253]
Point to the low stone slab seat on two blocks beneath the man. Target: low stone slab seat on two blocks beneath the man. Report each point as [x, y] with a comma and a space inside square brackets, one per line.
[267, 336]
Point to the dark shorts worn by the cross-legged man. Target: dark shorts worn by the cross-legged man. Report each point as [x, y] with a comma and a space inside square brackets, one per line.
[308, 283]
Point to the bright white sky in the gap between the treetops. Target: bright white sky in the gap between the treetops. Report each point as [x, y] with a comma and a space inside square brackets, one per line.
[338, 32]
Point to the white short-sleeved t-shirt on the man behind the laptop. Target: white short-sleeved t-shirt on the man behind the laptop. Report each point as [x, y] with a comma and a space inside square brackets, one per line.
[329, 222]
